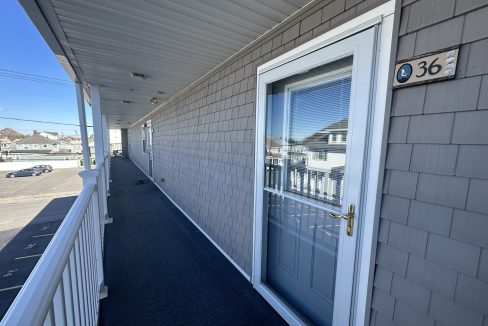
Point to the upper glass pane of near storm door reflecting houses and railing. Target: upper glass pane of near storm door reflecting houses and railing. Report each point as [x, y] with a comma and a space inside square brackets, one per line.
[307, 129]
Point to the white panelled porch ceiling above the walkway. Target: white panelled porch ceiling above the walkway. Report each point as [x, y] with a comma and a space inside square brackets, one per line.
[172, 42]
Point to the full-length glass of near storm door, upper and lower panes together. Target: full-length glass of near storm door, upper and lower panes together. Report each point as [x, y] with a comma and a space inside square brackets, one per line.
[307, 124]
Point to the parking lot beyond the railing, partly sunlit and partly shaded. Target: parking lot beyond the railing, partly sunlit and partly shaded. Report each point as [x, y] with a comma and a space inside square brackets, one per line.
[31, 210]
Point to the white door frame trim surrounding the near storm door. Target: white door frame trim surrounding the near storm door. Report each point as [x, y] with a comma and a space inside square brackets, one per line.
[382, 18]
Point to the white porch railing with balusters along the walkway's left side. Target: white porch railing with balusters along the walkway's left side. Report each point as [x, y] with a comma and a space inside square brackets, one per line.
[67, 283]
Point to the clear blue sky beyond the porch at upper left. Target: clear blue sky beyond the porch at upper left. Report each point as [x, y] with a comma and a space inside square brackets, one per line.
[24, 50]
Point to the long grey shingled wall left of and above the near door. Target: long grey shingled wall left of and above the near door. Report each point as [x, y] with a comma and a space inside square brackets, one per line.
[204, 138]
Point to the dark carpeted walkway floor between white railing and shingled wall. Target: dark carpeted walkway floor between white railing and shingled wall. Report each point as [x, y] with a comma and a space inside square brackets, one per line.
[161, 270]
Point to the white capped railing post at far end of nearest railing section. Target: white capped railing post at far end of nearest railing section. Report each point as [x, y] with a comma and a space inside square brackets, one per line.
[92, 177]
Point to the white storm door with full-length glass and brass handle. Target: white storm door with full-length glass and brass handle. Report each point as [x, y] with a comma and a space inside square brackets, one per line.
[312, 128]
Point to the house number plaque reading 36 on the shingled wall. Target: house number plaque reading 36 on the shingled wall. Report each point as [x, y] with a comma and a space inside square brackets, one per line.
[441, 65]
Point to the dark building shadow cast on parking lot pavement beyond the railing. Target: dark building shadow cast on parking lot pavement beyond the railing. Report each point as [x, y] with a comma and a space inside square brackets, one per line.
[21, 248]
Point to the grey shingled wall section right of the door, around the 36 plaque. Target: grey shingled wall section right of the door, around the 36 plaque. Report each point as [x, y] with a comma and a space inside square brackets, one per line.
[432, 259]
